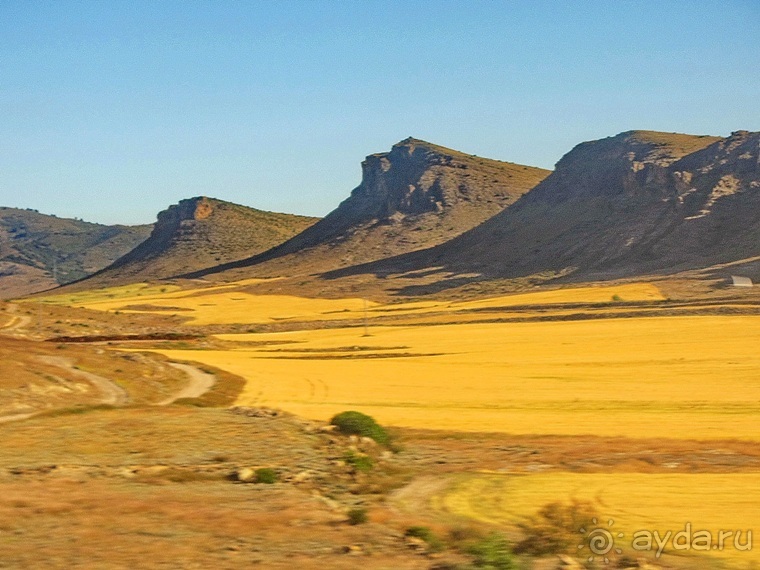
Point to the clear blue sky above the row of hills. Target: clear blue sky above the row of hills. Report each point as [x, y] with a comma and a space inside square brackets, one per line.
[113, 110]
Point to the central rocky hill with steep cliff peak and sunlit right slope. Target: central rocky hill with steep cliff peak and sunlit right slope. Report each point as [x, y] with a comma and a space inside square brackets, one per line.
[413, 197]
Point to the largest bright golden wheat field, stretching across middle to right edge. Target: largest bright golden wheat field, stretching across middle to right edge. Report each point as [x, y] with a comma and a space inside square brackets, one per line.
[685, 377]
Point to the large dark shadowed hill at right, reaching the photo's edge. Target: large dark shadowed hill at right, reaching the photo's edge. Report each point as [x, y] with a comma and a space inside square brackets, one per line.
[634, 203]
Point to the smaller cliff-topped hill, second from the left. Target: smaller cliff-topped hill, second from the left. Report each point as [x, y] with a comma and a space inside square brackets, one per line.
[199, 233]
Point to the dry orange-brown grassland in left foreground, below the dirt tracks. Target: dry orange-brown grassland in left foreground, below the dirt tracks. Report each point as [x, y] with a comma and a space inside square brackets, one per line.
[149, 488]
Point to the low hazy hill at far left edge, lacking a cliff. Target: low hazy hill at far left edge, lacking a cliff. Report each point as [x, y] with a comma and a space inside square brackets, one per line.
[39, 251]
